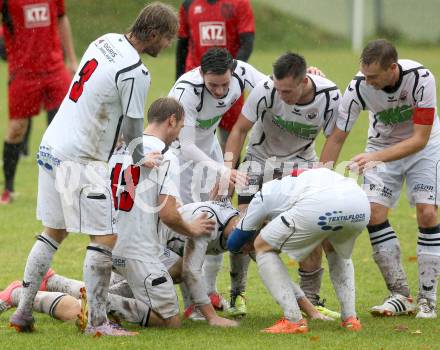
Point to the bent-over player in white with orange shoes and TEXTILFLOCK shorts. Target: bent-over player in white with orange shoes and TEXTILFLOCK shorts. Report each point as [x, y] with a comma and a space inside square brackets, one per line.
[304, 211]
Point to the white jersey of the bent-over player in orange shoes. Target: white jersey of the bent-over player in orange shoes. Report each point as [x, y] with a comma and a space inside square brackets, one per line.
[278, 196]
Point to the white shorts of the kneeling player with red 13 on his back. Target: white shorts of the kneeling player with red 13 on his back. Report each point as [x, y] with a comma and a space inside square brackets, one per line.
[150, 283]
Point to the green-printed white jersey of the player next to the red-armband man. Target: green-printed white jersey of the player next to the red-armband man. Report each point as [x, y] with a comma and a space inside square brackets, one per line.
[288, 131]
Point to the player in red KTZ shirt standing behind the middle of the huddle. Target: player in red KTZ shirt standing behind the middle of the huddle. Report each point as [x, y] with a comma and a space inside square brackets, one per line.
[220, 23]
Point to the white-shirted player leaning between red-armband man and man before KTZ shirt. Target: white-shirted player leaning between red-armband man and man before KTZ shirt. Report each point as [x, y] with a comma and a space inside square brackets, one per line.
[286, 113]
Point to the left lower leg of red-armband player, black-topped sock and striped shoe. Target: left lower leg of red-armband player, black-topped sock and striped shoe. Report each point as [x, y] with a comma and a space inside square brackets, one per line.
[386, 254]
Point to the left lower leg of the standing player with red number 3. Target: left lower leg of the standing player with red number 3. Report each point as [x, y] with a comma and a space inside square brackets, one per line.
[37, 265]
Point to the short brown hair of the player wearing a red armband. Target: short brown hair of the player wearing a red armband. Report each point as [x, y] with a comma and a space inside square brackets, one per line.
[379, 51]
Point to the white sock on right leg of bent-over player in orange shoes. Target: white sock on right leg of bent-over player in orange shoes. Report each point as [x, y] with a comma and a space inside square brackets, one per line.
[342, 276]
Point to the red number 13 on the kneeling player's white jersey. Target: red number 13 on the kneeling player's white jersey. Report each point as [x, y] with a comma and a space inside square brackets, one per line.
[130, 178]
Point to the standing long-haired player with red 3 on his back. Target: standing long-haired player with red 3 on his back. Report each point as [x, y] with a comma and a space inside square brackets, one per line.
[107, 95]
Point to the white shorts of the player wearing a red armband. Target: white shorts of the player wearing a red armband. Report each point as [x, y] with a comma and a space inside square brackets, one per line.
[383, 184]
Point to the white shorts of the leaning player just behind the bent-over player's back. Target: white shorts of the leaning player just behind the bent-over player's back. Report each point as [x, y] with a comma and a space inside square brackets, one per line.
[261, 171]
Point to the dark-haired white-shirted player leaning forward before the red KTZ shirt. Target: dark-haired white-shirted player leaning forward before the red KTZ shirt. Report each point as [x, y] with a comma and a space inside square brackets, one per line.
[206, 93]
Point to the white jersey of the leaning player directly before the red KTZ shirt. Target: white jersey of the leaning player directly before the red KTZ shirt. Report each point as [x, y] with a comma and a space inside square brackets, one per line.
[202, 110]
